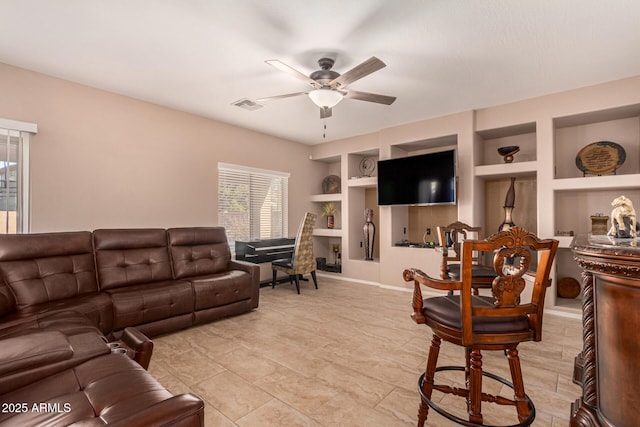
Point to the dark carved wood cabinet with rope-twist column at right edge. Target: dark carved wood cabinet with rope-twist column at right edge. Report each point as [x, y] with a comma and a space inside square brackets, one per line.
[608, 368]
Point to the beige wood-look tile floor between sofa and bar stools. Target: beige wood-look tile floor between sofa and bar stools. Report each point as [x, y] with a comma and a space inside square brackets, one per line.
[347, 354]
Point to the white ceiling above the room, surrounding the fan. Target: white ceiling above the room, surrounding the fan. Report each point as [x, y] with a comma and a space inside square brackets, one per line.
[442, 56]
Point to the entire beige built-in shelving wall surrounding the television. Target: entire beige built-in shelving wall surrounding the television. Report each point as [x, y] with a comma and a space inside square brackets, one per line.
[553, 198]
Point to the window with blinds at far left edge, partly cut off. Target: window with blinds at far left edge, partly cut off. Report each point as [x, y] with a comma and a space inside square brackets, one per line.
[14, 175]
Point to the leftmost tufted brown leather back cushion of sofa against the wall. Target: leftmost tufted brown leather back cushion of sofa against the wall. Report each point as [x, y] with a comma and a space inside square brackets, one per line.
[46, 267]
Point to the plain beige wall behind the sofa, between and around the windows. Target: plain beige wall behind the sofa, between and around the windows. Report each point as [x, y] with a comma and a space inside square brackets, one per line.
[104, 160]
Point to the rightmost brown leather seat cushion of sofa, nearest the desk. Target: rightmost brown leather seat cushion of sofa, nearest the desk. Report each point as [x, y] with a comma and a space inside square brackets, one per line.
[221, 289]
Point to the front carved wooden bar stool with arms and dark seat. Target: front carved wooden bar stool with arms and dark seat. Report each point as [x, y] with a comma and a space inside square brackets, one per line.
[480, 323]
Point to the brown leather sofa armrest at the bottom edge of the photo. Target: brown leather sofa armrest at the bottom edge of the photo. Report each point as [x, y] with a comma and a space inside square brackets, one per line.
[184, 409]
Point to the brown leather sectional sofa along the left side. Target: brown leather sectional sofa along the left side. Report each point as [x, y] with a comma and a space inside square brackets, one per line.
[77, 310]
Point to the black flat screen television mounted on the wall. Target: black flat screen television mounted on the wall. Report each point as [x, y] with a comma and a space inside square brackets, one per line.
[425, 179]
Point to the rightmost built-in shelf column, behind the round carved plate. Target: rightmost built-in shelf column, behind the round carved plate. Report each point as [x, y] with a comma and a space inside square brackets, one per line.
[576, 197]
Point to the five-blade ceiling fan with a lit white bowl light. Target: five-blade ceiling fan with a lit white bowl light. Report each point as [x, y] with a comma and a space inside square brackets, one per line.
[330, 87]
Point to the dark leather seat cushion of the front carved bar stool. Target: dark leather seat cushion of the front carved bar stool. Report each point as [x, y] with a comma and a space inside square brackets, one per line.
[446, 310]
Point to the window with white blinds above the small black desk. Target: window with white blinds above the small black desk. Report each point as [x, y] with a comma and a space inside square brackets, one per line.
[252, 203]
